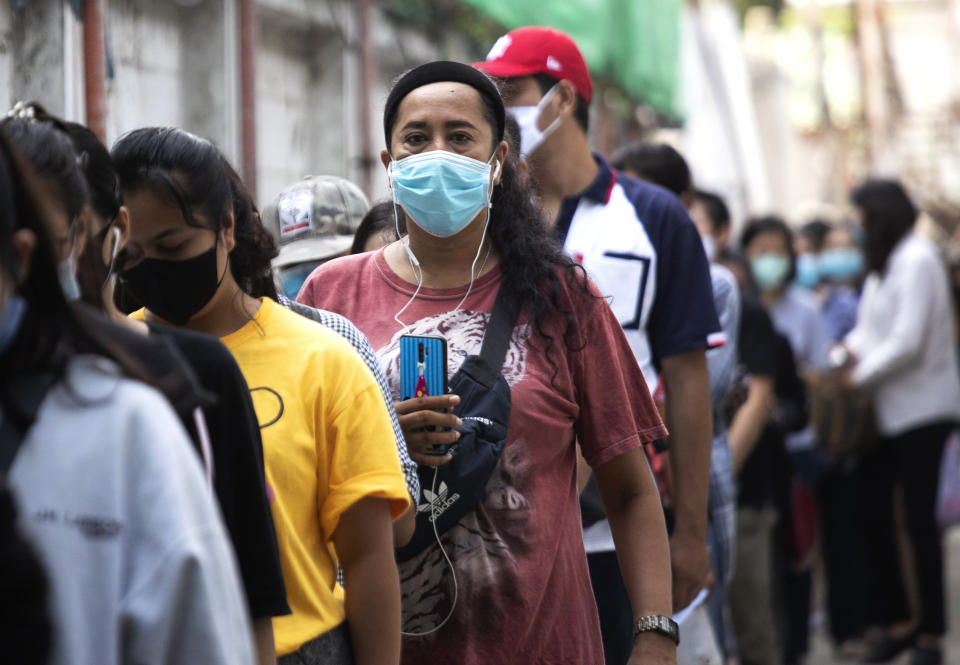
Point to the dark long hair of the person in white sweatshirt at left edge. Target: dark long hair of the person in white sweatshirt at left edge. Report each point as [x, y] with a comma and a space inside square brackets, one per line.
[51, 331]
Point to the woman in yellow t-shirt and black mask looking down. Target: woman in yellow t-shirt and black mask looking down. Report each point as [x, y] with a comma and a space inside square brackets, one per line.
[200, 258]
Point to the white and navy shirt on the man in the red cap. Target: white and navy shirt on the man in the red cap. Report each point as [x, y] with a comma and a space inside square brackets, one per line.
[639, 245]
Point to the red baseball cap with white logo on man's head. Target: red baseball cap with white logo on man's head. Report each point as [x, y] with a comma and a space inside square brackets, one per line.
[538, 50]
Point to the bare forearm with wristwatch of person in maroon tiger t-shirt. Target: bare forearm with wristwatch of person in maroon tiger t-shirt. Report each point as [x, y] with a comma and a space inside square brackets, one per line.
[636, 519]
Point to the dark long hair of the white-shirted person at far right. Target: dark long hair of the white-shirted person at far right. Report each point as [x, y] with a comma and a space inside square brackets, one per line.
[888, 215]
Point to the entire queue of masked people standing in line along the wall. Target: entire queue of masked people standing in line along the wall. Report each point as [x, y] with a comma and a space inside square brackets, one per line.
[536, 407]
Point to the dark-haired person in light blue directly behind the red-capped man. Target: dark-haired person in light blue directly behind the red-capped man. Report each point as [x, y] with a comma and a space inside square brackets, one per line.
[662, 165]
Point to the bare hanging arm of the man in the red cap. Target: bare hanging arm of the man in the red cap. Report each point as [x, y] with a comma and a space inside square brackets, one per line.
[686, 385]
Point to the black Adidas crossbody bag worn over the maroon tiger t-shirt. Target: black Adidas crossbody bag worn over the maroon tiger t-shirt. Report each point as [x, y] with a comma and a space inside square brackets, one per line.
[455, 489]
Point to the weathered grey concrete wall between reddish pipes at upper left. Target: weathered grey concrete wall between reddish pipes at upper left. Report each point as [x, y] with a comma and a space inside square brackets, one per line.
[174, 62]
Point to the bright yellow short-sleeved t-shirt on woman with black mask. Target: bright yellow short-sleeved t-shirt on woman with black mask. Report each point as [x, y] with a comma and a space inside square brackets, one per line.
[327, 443]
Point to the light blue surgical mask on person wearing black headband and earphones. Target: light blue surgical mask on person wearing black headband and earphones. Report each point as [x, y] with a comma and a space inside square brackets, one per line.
[441, 191]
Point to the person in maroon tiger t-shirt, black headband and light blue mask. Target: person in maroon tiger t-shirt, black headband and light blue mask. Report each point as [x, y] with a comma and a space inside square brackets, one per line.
[508, 582]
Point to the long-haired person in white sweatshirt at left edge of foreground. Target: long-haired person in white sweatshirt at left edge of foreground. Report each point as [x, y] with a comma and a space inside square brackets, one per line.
[108, 490]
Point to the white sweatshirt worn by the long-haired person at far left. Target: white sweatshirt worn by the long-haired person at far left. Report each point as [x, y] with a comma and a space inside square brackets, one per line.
[111, 495]
